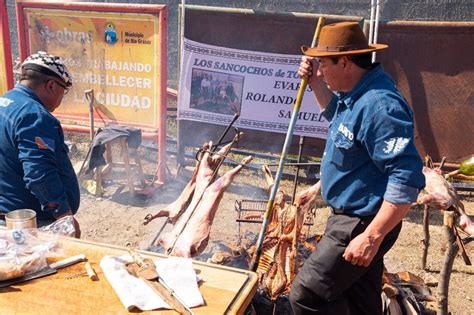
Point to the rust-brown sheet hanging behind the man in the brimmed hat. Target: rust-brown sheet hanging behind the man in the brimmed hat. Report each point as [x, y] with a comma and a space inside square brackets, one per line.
[433, 67]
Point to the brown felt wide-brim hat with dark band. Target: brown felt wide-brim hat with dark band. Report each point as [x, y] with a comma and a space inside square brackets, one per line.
[338, 39]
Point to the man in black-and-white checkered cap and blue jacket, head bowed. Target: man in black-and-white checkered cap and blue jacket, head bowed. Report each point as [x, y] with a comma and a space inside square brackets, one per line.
[35, 170]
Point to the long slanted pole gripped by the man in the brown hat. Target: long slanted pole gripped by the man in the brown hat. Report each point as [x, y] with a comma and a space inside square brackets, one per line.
[284, 153]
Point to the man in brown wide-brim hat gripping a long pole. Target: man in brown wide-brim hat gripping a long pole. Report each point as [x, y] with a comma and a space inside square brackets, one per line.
[371, 173]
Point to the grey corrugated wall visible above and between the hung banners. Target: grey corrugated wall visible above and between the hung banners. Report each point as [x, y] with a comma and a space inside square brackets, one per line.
[390, 10]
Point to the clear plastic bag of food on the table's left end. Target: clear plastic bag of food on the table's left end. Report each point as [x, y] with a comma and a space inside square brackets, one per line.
[23, 252]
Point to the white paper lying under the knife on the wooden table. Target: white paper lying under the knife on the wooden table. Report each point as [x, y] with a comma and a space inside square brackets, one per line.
[176, 272]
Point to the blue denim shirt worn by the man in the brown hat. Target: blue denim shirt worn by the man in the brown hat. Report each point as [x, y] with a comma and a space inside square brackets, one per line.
[370, 153]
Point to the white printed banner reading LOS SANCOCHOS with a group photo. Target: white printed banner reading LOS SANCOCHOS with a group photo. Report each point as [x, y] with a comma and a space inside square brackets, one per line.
[218, 82]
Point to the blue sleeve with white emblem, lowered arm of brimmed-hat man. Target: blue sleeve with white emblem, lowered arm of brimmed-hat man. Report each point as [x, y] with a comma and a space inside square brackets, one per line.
[390, 144]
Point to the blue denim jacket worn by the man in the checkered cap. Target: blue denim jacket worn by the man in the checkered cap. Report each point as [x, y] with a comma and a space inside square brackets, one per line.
[34, 165]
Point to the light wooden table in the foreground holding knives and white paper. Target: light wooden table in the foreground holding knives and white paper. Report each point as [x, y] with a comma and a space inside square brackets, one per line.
[225, 290]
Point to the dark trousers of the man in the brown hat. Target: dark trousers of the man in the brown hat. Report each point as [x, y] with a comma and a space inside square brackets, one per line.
[327, 284]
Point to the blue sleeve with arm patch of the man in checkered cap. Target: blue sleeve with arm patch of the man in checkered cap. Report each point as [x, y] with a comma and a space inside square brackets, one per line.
[39, 142]
